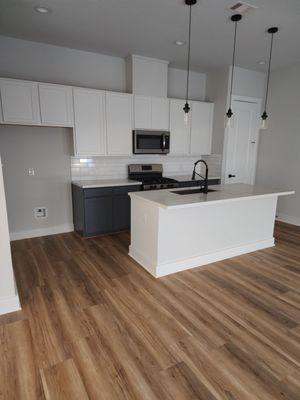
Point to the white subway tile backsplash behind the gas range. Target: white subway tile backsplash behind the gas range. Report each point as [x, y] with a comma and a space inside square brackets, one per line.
[116, 167]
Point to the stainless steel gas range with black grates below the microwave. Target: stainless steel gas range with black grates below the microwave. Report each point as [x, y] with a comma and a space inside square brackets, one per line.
[151, 176]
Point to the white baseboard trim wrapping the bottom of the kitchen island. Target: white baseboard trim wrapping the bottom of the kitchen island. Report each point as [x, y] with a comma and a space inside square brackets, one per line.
[198, 261]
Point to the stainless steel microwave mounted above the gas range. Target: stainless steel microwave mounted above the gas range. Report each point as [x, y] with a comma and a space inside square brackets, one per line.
[151, 142]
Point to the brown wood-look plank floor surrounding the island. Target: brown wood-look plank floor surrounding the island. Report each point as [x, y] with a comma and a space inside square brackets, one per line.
[95, 325]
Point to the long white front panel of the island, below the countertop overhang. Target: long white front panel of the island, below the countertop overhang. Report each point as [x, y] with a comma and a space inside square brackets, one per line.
[194, 236]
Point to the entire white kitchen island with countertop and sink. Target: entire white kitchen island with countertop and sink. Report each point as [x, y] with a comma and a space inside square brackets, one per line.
[172, 232]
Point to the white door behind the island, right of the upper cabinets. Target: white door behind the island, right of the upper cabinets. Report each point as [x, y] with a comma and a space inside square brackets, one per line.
[242, 139]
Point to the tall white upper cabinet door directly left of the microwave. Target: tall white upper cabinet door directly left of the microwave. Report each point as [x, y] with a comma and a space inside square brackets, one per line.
[119, 123]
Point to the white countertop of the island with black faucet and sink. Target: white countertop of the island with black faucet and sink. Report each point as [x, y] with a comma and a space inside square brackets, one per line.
[223, 193]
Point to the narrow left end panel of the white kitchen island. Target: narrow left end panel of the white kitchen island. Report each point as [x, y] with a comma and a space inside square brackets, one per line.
[144, 233]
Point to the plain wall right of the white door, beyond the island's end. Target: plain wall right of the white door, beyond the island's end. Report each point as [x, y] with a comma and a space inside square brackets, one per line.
[279, 148]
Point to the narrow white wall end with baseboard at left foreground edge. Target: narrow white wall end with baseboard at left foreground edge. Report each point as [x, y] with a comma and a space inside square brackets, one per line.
[8, 296]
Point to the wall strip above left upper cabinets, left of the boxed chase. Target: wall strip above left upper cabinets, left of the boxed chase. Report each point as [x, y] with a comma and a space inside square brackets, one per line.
[42, 62]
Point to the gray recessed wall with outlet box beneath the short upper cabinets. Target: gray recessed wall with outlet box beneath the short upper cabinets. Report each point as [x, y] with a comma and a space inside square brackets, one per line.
[47, 150]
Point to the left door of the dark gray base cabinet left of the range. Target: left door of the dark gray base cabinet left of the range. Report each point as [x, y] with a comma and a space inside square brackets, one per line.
[98, 215]
